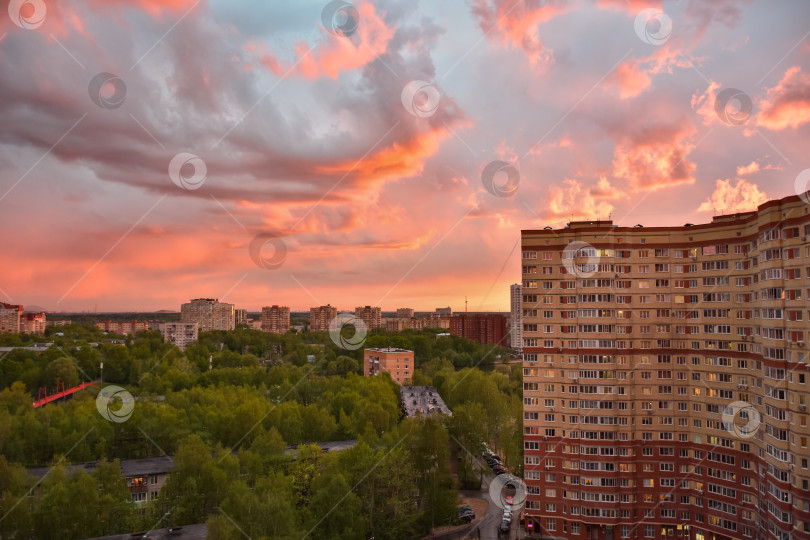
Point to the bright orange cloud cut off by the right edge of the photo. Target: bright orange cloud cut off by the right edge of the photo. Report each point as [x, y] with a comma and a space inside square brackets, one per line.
[788, 103]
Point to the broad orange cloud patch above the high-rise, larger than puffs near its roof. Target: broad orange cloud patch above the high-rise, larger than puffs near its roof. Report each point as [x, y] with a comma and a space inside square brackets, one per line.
[656, 157]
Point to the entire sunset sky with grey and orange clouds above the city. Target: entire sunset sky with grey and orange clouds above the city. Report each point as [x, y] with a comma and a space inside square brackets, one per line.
[306, 136]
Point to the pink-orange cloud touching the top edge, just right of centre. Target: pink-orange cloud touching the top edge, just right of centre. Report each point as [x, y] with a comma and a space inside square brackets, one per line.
[514, 24]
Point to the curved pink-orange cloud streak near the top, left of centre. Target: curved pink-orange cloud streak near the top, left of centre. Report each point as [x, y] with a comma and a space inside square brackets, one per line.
[334, 54]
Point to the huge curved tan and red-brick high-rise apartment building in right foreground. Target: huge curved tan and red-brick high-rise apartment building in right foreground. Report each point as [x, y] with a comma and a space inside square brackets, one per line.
[665, 377]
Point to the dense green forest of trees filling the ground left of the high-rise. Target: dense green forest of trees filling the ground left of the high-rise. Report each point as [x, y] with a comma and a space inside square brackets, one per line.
[228, 428]
